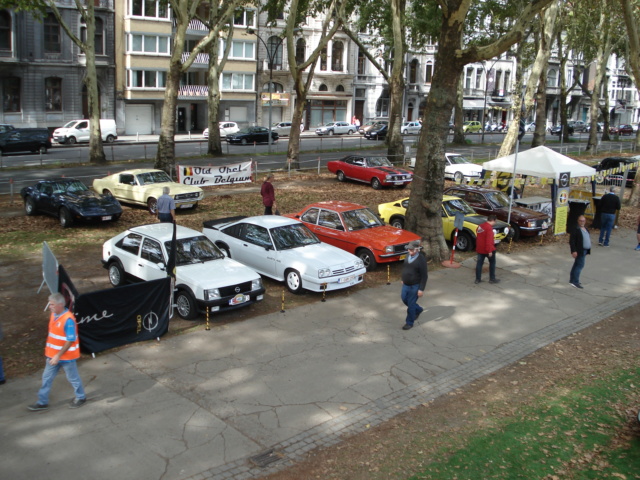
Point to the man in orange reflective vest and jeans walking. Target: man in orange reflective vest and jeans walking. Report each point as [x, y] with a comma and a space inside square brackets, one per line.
[61, 351]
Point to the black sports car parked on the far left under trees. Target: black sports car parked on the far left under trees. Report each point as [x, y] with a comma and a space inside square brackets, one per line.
[70, 200]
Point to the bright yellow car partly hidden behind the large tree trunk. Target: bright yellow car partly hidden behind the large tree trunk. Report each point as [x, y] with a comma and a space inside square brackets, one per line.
[394, 213]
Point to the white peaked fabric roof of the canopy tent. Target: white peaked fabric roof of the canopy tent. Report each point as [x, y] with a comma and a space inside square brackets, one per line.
[540, 162]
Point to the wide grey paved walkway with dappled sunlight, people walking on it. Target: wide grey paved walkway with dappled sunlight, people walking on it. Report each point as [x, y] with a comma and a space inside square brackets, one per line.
[203, 405]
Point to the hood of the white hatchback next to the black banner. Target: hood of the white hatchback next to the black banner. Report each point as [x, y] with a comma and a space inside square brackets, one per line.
[227, 272]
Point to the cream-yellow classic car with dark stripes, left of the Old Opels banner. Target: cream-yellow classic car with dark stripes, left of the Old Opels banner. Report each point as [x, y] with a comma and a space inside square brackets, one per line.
[143, 186]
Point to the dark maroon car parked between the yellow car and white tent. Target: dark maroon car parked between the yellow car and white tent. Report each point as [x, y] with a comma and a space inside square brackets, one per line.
[524, 221]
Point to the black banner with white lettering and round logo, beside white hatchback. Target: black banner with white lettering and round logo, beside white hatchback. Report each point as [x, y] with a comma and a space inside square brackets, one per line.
[122, 315]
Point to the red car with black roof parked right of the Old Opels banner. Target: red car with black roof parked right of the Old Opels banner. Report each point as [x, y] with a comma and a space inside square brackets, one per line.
[377, 171]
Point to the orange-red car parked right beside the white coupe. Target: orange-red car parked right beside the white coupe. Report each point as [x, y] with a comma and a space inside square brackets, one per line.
[357, 230]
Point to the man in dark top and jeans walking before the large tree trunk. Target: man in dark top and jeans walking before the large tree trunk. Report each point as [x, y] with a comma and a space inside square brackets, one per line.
[414, 281]
